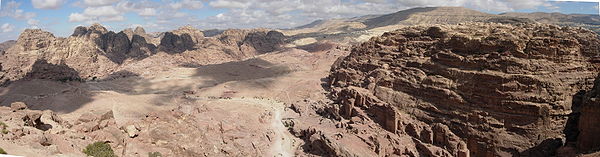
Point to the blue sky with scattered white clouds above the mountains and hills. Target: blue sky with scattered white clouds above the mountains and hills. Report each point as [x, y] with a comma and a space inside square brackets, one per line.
[62, 16]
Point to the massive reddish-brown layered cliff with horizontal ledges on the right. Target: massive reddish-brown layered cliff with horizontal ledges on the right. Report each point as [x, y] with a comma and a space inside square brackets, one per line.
[500, 90]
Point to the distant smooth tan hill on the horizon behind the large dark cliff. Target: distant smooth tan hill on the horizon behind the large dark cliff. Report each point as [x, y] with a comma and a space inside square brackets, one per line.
[364, 27]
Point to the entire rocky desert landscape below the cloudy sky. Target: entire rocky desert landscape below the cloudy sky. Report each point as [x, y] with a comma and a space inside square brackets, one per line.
[427, 81]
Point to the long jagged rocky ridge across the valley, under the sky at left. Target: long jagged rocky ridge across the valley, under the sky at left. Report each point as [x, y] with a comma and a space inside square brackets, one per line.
[94, 52]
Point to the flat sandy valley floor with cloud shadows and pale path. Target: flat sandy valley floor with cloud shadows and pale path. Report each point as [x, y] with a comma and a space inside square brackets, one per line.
[268, 81]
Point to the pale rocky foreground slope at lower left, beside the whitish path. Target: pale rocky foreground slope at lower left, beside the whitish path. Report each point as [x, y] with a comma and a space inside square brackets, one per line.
[181, 131]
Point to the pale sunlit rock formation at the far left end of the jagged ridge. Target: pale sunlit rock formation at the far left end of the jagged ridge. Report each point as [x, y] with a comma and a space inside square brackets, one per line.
[84, 52]
